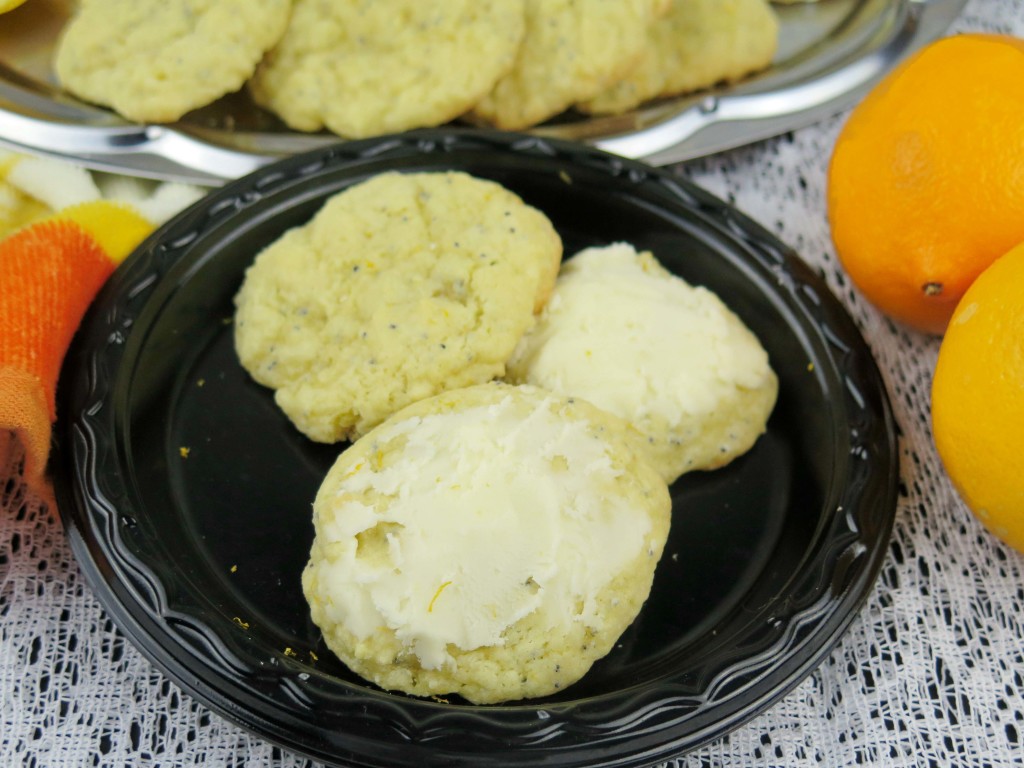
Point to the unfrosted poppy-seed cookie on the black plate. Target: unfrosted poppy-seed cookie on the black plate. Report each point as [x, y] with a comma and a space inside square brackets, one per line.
[400, 288]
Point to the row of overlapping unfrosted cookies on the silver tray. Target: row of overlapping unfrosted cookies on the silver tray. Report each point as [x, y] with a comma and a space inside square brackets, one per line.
[362, 69]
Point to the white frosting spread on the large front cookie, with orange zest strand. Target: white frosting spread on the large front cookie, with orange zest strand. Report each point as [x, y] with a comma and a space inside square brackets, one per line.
[491, 516]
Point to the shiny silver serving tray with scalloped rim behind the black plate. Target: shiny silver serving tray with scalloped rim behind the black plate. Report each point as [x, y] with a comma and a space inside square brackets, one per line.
[831, 53]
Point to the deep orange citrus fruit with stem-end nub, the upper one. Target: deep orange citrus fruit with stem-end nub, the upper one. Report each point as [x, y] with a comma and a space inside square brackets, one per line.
[926, 184]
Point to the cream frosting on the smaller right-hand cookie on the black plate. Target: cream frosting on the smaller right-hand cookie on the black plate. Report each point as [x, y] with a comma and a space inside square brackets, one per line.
[637, 342]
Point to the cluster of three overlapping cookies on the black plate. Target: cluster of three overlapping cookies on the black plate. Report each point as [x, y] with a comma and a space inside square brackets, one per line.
[516, 422]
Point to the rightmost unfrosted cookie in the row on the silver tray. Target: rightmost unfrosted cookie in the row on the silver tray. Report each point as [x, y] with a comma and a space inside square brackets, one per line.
[699, 45]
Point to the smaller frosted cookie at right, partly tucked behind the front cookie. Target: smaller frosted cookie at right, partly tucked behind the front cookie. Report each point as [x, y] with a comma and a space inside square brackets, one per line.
[670, 359]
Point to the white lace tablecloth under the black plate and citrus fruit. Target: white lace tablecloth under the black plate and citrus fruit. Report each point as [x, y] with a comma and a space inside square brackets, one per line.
[930, 674]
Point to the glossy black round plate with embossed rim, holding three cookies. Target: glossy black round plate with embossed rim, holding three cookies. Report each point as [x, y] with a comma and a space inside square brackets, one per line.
[188, 495]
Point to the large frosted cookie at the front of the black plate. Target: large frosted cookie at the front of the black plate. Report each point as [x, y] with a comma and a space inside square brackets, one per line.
[491, 542]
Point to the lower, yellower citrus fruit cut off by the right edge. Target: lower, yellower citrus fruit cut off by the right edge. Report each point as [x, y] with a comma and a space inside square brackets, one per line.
[978, 399]
